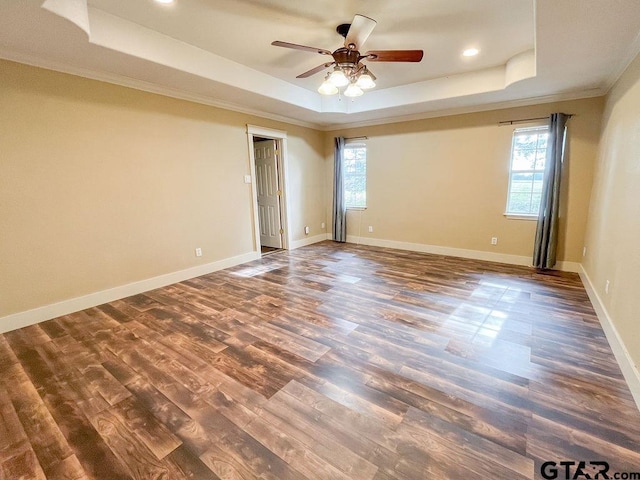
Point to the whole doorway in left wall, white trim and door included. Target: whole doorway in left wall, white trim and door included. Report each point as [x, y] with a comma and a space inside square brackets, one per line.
[267, 158]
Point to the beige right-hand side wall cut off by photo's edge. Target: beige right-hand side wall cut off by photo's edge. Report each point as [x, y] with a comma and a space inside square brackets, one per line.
[613, 236]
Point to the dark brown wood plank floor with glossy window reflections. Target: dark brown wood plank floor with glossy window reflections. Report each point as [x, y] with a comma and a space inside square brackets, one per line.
[327, 362]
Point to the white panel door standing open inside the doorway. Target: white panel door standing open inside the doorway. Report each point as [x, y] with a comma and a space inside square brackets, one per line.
[268, 193]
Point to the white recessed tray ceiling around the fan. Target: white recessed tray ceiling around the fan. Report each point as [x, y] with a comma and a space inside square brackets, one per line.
[219, 51]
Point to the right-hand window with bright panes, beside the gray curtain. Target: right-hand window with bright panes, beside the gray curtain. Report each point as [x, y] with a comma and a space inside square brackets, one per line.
[528, 155]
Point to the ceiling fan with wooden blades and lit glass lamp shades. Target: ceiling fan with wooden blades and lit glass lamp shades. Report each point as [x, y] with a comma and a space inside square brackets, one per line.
[348, 69]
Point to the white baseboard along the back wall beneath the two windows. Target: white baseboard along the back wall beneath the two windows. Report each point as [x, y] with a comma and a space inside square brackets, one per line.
[457, 252]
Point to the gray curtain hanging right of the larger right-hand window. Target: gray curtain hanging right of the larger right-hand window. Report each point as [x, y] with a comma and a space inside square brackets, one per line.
[544, 253]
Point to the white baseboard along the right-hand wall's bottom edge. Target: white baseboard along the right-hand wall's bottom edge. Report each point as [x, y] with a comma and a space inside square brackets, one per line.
[629, 369]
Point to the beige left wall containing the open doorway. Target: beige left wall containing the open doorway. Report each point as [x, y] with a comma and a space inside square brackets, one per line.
[101, 185]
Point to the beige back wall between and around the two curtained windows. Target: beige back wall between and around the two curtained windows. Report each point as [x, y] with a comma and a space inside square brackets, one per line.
[443, 181]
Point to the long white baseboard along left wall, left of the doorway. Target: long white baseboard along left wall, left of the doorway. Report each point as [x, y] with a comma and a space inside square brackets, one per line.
[65, 307]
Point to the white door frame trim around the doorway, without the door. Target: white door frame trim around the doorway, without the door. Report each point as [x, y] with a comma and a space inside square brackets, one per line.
[281, 141]
